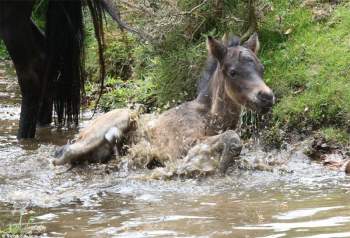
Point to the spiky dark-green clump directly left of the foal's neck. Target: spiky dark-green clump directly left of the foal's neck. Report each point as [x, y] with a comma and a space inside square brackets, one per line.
[174, 74]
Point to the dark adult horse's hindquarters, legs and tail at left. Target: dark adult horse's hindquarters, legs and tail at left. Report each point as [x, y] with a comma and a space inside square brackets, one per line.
[49, 65]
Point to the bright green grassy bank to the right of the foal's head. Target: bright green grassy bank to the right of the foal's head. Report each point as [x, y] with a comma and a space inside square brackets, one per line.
[309, 68]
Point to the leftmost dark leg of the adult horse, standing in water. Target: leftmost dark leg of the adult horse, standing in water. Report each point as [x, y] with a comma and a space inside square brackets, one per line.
[19, 38]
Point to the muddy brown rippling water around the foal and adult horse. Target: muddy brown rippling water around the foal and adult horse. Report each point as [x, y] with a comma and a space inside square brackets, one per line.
[298, 199]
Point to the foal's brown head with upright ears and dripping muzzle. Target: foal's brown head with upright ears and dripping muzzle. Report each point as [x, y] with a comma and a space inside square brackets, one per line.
[242, 72]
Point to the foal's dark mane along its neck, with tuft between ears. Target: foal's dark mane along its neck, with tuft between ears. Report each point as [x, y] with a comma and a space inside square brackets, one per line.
[203, 89]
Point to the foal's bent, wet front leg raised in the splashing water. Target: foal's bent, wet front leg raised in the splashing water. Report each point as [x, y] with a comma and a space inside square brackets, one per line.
[216, 153]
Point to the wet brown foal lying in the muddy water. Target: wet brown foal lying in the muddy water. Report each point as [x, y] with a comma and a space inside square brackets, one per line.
[196, 130]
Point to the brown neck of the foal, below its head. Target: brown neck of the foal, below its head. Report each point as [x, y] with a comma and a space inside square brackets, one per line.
[223, 109]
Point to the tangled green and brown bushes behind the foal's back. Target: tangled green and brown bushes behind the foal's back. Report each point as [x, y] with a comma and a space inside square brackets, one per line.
[164, 70]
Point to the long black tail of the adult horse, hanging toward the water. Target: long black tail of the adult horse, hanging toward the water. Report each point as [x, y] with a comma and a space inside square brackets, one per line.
[65, 54]
